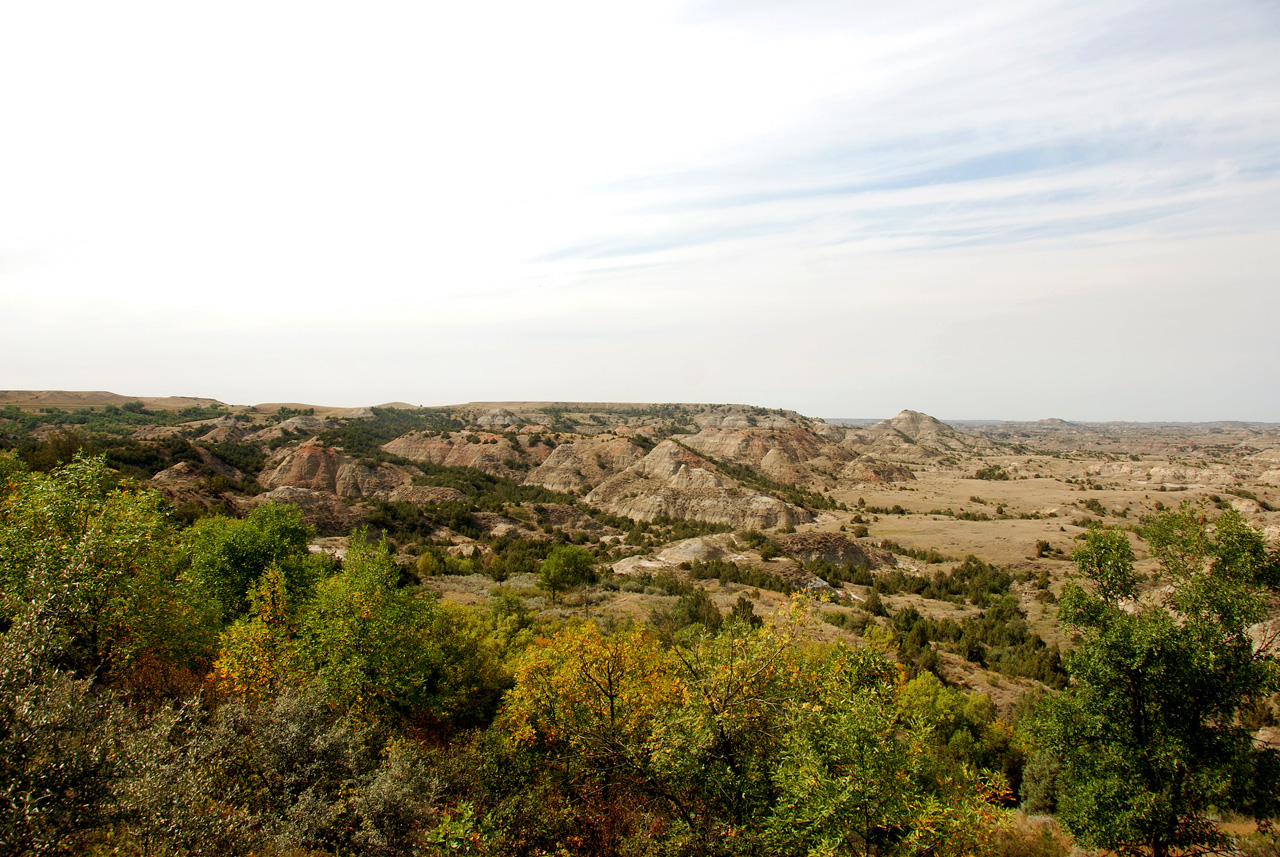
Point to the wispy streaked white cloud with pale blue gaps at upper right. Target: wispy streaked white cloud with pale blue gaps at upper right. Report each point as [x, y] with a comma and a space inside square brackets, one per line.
[1124, 116]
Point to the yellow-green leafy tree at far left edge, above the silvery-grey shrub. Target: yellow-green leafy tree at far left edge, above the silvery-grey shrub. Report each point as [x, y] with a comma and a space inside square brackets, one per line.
[99, 561]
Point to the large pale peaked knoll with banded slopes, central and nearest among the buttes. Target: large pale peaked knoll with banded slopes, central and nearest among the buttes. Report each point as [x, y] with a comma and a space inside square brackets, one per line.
[676, 483]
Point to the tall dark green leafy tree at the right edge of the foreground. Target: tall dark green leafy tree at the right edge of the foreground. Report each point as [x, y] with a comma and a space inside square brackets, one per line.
[1146, 743]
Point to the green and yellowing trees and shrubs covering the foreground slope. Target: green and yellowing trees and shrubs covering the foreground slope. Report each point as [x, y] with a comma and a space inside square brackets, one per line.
[220, 689]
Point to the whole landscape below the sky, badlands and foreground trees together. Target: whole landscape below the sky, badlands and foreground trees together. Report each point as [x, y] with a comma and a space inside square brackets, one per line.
[488, 608]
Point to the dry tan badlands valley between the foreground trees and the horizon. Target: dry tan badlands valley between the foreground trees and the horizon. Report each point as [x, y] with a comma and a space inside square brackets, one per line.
[473, 497]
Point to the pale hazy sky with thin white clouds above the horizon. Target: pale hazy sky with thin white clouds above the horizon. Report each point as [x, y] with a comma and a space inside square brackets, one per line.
[981, 210]
